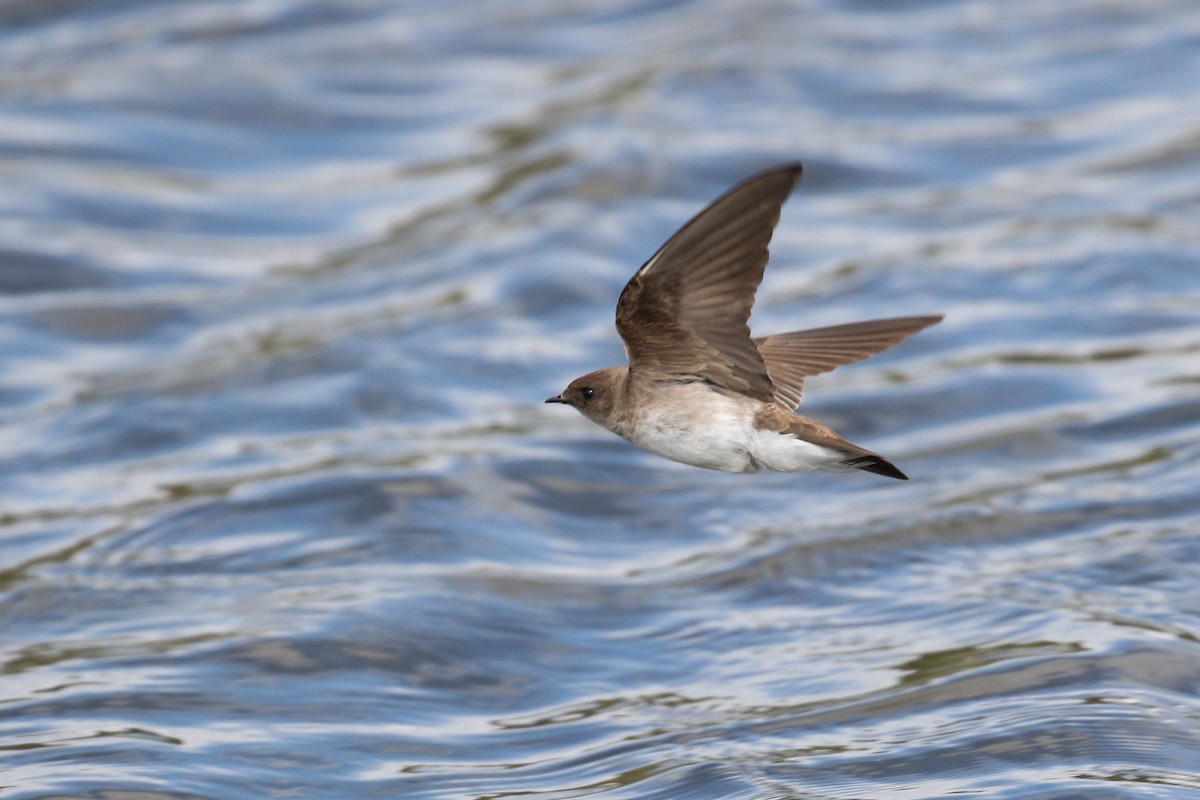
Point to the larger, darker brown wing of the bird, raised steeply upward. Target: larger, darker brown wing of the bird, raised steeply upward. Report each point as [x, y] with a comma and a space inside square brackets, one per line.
[686, 311]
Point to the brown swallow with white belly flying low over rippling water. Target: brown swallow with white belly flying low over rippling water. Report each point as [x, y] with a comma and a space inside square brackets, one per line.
[698, 388]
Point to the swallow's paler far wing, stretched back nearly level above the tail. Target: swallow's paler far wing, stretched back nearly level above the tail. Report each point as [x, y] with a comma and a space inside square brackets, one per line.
[791, 358]
